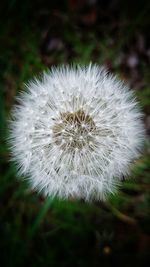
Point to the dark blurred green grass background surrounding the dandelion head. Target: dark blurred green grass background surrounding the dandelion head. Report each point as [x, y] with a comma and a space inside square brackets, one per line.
[43, 232]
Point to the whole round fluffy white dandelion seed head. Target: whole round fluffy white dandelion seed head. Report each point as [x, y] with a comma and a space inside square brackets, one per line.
[75, 132]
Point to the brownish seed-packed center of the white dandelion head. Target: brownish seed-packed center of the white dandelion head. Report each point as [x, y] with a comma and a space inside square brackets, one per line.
[73, 130]
